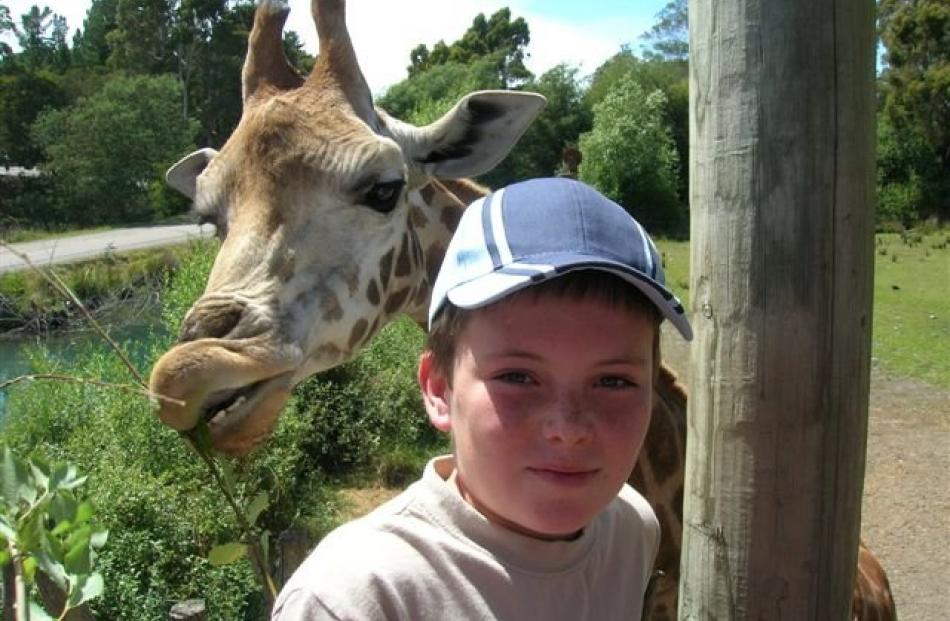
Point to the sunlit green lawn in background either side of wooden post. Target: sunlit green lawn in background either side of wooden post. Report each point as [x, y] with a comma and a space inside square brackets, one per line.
[911, 301]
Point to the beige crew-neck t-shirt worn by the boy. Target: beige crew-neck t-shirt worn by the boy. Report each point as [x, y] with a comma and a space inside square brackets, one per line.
[428, 555]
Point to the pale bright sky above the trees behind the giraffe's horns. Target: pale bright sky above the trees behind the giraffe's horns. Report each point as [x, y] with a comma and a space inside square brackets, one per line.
[582, 33]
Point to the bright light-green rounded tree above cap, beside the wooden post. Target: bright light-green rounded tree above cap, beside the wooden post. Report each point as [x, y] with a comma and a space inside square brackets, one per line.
[630, 156]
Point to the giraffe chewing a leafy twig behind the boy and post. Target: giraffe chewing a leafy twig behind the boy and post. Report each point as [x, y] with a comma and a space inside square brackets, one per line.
[334, 218]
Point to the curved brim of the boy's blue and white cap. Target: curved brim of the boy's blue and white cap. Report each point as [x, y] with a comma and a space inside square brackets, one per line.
[494, 286]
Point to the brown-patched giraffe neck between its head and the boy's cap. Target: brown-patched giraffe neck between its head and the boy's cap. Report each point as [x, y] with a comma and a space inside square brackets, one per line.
[434, 213]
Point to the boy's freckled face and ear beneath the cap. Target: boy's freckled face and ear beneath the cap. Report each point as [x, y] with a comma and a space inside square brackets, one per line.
[548, 406]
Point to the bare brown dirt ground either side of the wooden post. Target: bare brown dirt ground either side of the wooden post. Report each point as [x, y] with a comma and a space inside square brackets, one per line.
[906, 513]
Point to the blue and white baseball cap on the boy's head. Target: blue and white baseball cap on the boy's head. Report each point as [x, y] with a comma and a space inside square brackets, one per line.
[539, 229]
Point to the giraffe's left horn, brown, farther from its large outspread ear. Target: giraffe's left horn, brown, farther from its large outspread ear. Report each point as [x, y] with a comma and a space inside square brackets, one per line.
[266, 68]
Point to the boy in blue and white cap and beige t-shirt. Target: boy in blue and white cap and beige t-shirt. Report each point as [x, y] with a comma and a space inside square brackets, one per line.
[542, 352]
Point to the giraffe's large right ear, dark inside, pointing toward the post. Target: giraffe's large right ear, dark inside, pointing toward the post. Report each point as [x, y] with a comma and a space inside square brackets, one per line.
[473, 137]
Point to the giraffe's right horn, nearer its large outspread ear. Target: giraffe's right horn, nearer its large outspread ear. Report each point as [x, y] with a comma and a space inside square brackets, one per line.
[337, 57]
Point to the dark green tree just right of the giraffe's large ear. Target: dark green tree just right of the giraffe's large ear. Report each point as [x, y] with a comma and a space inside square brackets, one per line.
[561, 122]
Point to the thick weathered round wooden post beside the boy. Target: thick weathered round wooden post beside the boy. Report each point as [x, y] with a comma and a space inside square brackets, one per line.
[781, 174]
